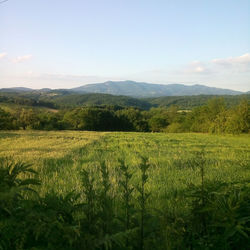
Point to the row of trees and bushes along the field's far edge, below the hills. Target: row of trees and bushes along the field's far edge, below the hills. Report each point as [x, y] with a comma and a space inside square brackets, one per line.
[214, 117]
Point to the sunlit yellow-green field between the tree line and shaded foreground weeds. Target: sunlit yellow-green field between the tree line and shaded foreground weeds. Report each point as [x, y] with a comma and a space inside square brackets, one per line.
[58, 156]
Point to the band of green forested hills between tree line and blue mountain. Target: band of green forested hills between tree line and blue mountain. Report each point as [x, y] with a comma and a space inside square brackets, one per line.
[66, 99]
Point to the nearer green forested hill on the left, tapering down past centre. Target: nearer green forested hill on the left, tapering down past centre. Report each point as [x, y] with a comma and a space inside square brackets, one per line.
[66, 99]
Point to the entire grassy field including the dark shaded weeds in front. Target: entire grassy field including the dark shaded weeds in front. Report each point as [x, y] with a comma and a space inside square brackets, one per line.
[124, 190]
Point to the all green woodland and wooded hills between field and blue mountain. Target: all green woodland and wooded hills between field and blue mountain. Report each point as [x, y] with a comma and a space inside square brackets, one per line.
[99, 112]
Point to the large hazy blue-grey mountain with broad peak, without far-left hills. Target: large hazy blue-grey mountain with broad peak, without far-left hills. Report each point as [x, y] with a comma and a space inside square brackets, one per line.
[142, 89]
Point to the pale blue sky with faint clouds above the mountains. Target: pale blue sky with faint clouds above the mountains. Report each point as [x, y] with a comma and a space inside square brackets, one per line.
[65, 44]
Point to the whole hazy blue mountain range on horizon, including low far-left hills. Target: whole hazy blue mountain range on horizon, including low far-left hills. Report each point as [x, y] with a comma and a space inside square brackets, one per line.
[132, 89]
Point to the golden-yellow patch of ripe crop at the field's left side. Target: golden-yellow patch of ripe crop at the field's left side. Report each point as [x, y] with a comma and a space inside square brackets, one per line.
[35, 145]
